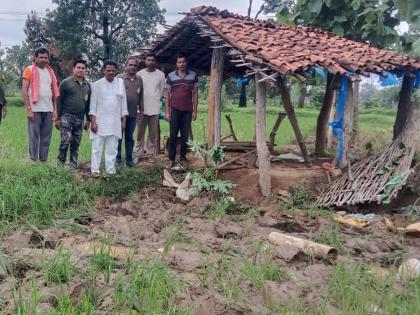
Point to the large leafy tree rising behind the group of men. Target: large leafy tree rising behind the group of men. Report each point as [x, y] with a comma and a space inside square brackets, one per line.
[103, 29]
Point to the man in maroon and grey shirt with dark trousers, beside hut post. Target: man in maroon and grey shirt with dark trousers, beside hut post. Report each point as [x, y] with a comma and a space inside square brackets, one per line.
[180, 107]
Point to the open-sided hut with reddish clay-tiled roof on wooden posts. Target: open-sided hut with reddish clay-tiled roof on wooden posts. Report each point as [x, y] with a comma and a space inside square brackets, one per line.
[221, 44]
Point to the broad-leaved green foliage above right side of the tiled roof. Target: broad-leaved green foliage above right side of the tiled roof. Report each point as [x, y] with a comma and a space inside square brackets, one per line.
[372, 21]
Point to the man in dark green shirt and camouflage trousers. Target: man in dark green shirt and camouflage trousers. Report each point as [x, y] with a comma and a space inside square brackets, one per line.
[73, 106]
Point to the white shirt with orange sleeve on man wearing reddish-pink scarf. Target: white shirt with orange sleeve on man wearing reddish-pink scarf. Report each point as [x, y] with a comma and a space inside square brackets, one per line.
[44, 103]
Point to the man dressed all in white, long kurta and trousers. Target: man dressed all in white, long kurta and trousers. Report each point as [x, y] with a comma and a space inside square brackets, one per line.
[108, 110]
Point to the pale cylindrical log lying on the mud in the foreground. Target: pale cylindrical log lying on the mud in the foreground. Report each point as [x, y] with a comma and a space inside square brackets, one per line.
[307, 247]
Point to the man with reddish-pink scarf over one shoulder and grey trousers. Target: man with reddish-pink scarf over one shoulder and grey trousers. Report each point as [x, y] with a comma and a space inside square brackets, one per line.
[40, 93]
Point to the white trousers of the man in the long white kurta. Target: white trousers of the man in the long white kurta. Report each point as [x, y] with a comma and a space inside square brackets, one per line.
[111, 150]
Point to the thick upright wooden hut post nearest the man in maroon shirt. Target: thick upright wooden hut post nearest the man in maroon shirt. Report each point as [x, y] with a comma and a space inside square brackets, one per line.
[215, 98]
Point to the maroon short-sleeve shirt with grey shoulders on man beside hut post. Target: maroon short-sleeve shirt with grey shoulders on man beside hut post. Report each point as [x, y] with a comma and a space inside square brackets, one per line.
[181, 89]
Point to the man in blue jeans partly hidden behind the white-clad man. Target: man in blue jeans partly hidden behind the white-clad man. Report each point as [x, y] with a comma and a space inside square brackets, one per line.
[134, 91]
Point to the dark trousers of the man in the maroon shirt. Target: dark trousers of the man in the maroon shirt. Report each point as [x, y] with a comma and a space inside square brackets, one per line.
[180, 122]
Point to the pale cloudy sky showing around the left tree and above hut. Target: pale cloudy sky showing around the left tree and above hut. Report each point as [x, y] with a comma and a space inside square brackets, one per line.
[13, 13]
